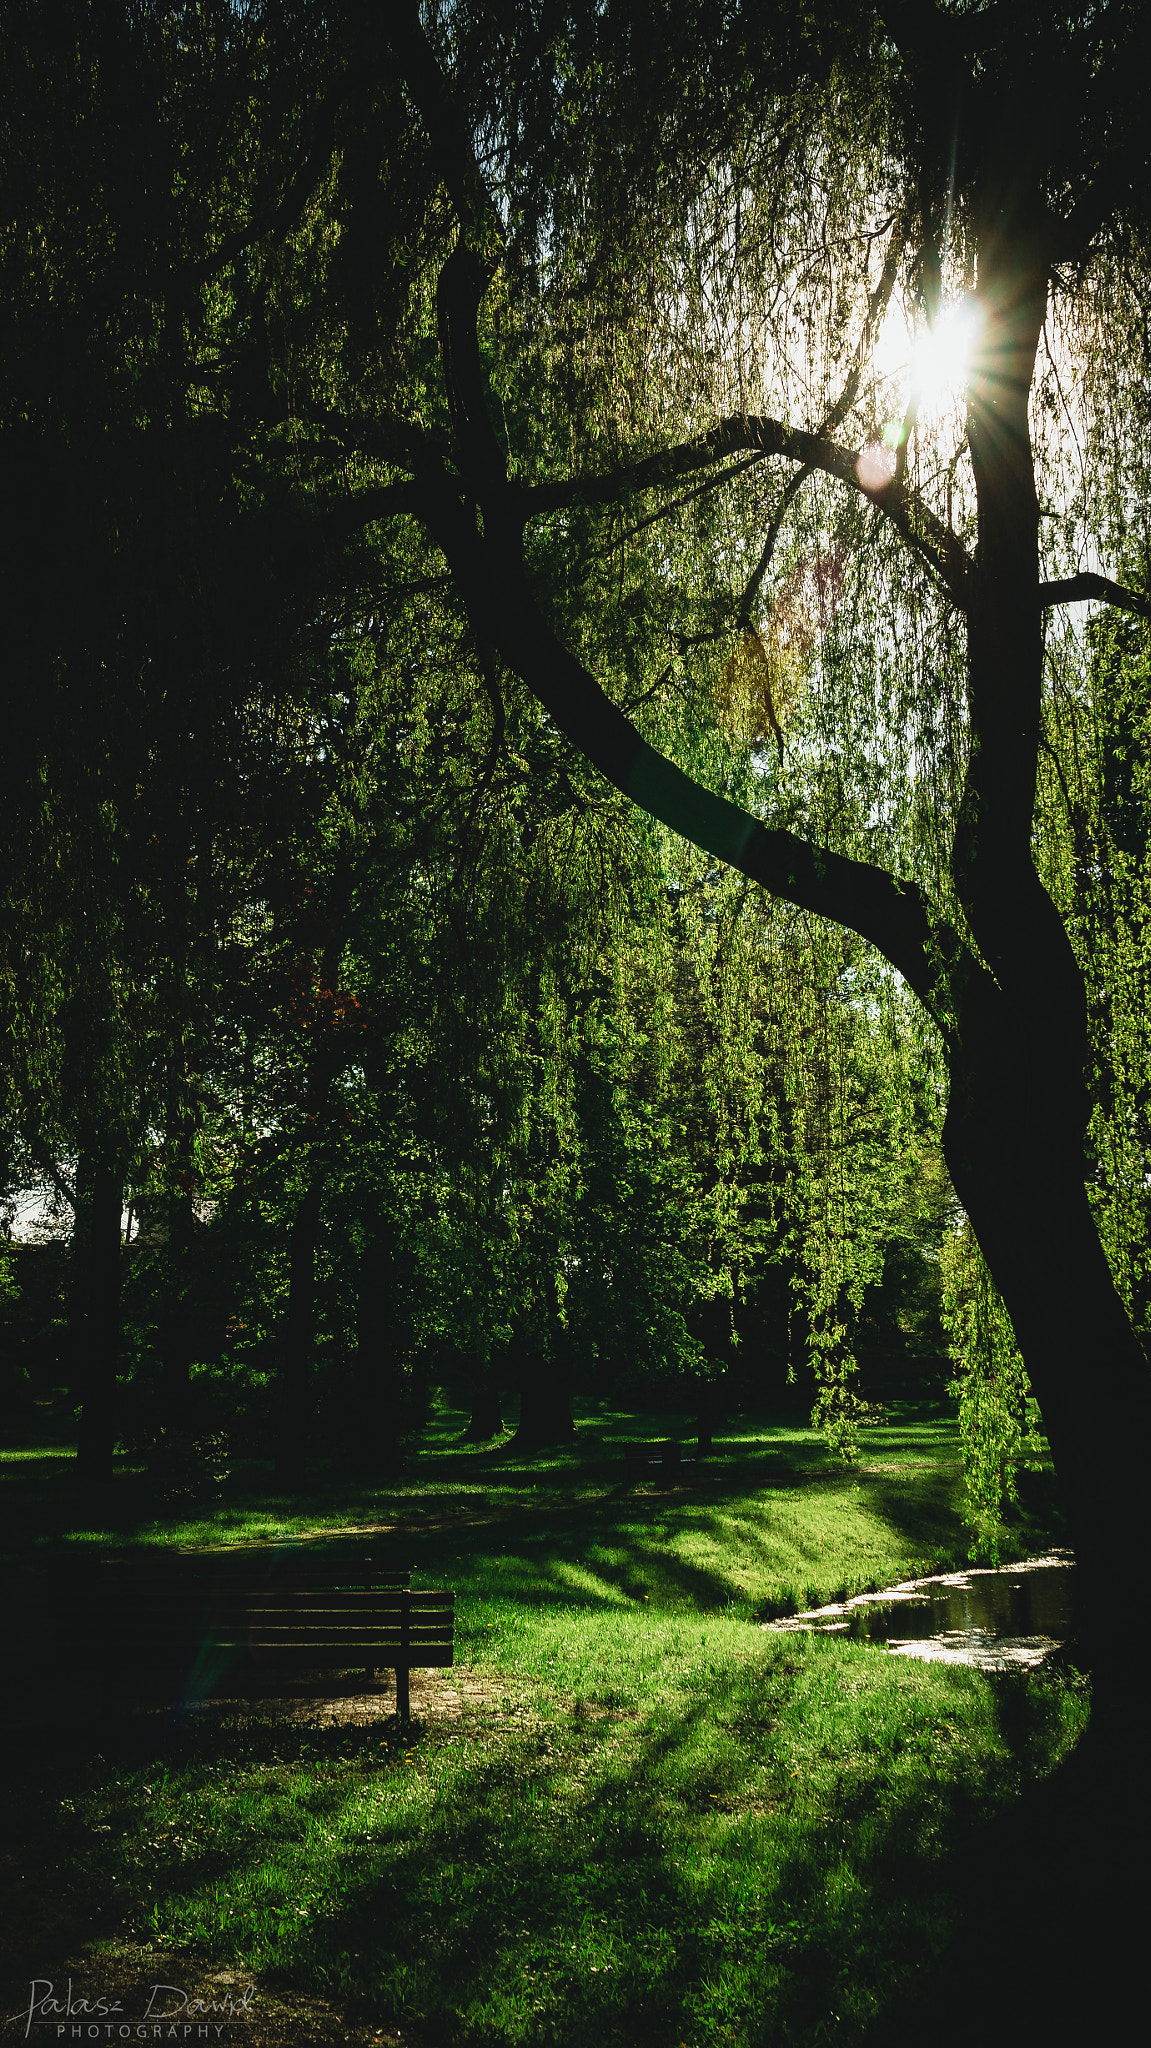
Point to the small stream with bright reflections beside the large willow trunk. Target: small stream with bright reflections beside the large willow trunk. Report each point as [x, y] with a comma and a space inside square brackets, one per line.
[990, 1617]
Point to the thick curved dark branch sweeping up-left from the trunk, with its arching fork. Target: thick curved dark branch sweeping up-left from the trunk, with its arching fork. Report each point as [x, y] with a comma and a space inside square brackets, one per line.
[488, 570]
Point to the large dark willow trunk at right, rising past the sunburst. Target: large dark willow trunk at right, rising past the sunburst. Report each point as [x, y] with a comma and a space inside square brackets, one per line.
[1019, 1105]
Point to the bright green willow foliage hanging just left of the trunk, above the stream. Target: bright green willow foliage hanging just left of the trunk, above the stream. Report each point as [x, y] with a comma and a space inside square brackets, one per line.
[996, 1422]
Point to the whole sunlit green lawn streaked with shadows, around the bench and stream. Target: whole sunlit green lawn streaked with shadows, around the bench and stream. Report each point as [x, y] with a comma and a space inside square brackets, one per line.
[636, 1814]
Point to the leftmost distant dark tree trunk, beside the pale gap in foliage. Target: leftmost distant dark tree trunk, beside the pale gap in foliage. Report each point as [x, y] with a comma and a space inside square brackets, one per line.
[97, 1314]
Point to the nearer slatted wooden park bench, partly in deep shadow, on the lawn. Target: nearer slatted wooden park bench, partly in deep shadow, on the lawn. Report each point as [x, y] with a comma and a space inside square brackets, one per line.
[189, 1627]
